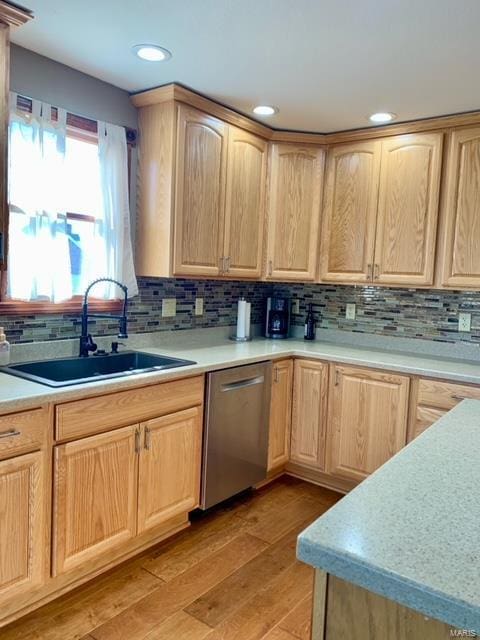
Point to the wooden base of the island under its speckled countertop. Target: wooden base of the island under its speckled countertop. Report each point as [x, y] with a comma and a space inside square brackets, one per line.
[342, 610]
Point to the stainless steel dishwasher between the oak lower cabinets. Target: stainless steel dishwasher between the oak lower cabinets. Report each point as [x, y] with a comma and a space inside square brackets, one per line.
[235, 446]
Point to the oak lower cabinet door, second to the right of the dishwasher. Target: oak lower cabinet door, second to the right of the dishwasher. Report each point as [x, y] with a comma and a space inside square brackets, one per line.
[310, 389]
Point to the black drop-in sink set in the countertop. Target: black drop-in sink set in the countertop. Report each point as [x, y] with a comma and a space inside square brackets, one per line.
[68, 371]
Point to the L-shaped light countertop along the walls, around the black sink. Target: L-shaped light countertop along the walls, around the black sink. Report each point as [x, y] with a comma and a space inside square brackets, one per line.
[211, 352]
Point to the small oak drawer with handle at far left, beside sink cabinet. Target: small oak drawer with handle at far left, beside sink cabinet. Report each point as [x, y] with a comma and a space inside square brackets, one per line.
[23, 432]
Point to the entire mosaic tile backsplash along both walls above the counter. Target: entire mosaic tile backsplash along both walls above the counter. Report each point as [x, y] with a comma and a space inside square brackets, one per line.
[409, 313]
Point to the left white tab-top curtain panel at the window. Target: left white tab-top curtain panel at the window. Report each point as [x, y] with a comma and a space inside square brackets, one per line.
[39, 260]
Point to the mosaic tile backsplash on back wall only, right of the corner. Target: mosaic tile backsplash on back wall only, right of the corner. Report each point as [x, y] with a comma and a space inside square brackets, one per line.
[409, 313]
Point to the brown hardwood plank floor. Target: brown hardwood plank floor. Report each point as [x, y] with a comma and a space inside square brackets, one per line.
[232, 575]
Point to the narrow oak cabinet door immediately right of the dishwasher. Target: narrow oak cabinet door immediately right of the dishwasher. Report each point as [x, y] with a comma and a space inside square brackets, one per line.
[280, 414]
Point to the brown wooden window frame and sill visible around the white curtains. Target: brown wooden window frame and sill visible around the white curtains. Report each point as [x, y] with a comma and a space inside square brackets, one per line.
[86, 130]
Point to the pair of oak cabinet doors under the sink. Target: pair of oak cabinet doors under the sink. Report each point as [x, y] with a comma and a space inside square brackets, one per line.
[110, 487]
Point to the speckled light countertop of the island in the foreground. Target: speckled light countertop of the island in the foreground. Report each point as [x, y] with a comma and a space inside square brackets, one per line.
[411, 531]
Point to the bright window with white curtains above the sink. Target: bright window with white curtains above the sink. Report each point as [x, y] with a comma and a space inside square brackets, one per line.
[68, 210]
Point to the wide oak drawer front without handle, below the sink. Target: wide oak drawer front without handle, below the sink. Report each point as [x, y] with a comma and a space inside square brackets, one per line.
[94, 415]
